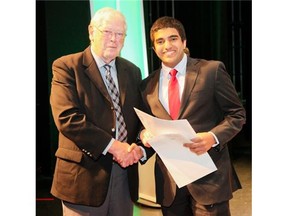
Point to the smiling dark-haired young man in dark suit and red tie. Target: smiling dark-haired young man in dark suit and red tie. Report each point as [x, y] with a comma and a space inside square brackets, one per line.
[207, 98]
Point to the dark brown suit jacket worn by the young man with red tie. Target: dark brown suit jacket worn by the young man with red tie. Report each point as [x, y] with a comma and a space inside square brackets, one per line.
[210, 103]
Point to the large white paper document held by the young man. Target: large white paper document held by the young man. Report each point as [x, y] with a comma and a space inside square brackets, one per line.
[168, 137]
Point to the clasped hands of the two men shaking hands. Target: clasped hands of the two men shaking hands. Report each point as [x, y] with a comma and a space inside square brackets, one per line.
[125, 154]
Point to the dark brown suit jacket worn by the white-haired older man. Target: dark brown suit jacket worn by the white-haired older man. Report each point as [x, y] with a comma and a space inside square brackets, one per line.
[81, 108]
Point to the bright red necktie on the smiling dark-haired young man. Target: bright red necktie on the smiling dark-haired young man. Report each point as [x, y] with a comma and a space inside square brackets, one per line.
[173, 93]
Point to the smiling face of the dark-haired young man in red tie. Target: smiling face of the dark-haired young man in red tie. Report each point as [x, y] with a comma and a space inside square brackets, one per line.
[168, 46]
